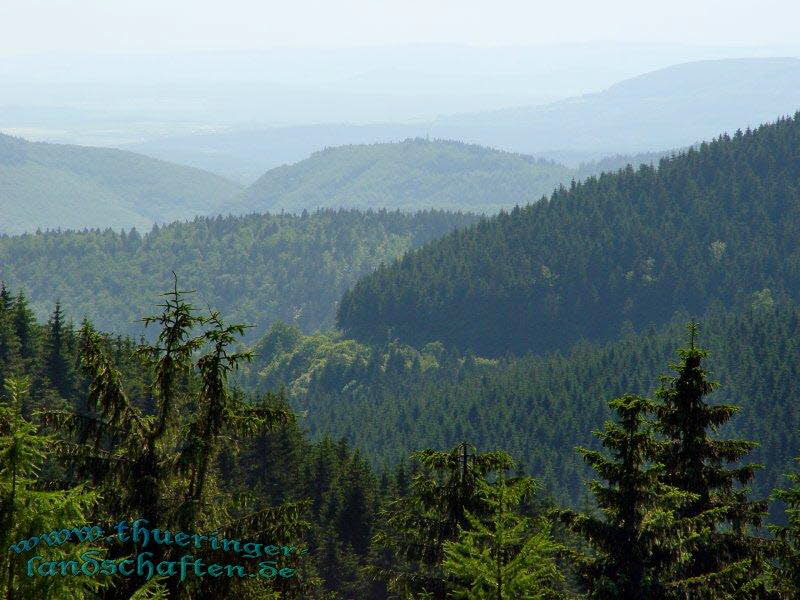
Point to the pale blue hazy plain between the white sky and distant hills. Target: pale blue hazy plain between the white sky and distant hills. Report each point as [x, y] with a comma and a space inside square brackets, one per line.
[114, 99]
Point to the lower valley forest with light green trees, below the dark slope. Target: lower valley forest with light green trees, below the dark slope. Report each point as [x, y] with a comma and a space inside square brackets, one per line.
[392, 398]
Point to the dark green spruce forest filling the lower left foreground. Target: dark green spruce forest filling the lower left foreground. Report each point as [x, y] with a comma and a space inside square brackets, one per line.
[87, 436]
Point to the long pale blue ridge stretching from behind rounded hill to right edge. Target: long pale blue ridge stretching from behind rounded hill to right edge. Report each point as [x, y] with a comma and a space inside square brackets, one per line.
[669, 108]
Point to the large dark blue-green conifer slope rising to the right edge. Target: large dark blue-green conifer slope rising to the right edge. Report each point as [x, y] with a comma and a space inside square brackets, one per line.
[714, 223]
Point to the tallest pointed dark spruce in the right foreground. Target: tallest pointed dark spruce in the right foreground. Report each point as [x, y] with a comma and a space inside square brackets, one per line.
[725, 559]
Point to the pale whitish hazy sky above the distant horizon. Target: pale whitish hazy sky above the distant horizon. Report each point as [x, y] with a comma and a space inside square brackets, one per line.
[52, 26]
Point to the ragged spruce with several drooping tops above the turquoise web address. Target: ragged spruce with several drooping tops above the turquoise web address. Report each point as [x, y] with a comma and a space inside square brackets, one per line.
[164, 466]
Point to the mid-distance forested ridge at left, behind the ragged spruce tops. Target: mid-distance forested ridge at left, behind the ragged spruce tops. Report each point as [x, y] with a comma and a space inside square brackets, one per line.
[256, 268]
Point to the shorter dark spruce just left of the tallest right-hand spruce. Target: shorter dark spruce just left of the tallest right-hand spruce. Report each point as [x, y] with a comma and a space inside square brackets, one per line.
[637, 541]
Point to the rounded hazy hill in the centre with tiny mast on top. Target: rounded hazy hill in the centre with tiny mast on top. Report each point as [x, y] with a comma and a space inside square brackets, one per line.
[408, 175]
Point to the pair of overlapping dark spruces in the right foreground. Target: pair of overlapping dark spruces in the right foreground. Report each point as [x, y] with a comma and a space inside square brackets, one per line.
[677, 522]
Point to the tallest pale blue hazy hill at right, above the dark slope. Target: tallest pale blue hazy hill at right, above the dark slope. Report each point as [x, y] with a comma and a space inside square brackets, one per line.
[671, 107]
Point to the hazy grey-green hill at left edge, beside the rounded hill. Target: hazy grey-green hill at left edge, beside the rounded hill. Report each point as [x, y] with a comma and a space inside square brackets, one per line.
[52, 185]
